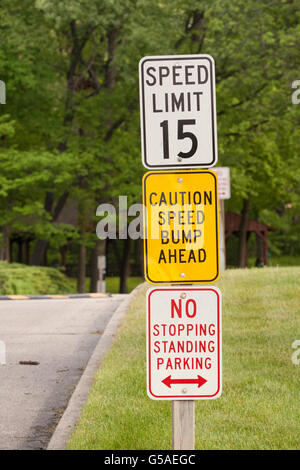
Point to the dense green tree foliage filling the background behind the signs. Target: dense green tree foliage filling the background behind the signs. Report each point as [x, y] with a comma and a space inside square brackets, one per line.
[70, 128]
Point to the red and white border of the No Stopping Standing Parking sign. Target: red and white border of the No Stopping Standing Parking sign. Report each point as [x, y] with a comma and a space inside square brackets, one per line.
[184, 289]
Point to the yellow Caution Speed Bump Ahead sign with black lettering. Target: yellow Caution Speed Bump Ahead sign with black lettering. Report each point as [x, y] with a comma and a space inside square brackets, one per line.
[181, 244]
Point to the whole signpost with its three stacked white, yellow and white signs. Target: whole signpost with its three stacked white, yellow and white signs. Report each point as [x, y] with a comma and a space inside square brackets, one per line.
[181, 235]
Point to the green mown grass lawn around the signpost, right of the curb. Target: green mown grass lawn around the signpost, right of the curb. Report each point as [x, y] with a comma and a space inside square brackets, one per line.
[259, 407]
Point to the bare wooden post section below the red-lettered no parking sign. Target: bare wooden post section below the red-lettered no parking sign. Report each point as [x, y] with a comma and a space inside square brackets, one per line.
[183, 424]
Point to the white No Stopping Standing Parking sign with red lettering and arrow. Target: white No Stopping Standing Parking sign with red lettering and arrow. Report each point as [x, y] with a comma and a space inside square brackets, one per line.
[184, 357]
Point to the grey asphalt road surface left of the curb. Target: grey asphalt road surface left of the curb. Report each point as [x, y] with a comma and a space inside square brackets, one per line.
[54, 339]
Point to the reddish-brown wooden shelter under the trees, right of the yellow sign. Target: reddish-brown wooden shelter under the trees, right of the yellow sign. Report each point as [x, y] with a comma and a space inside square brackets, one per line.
[232, 227]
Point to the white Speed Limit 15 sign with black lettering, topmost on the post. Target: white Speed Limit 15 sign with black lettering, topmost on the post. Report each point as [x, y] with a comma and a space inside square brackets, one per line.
[178, 111]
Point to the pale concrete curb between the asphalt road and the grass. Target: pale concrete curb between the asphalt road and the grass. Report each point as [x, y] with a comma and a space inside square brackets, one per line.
[70, 417]
